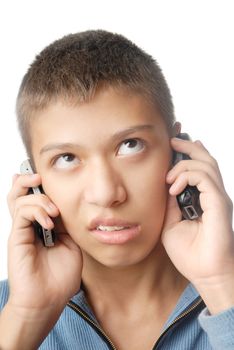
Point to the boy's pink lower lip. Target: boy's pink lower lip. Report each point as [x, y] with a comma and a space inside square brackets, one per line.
[116, 237]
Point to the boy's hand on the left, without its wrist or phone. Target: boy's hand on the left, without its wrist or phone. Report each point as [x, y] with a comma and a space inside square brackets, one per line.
[40, 278]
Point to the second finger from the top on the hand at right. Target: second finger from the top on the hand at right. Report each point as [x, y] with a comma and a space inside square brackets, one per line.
[190, 165]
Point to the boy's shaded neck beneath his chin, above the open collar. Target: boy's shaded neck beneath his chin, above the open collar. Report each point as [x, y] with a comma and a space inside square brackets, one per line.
[154, 278]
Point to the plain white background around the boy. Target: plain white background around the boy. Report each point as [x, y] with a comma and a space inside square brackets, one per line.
[191, 40]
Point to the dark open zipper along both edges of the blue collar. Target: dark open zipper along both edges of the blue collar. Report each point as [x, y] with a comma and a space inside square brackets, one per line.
[105, 337]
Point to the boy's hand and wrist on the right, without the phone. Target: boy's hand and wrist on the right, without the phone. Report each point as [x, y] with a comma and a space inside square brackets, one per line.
[203, 249]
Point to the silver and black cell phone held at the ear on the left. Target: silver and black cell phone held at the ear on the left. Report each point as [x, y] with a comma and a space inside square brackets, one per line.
[47, 236]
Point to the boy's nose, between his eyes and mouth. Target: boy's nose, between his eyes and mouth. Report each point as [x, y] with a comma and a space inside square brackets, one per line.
[104, 186]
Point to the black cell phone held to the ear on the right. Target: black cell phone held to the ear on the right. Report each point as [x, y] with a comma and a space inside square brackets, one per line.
[188, 200]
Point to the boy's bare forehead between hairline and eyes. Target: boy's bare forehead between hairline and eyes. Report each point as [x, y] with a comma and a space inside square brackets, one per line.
[108, 112]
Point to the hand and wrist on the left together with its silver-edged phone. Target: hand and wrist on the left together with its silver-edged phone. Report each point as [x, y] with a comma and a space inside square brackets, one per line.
[40, 281]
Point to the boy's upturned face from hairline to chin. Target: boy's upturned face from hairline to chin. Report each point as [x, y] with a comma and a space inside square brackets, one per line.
[93, 164]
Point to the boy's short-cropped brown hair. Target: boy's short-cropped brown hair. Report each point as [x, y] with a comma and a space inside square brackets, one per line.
[75, 66]
